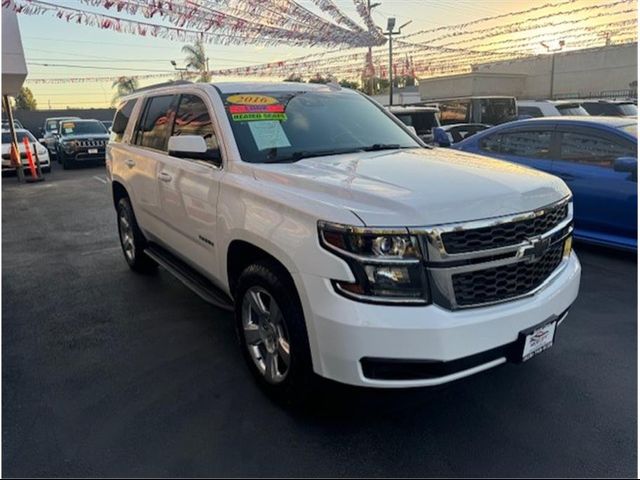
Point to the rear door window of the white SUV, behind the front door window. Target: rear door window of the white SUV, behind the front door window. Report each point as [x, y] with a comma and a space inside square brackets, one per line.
[153, 130]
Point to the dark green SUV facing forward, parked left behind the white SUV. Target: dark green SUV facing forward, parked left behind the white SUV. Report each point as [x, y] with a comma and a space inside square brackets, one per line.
[81, 141]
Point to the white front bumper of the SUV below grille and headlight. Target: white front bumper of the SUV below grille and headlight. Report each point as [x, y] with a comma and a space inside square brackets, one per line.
[345, 334]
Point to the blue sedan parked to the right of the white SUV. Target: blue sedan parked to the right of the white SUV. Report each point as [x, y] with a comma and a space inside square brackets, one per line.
[596, 156]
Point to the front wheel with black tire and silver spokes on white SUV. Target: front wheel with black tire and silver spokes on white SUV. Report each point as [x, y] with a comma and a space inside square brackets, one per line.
[270, 282]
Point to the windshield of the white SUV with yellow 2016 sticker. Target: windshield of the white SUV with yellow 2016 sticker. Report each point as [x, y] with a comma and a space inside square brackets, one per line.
[289, 126]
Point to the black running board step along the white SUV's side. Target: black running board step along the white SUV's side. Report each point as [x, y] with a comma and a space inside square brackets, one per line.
[192, 279]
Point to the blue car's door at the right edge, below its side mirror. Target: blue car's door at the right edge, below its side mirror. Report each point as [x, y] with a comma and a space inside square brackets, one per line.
[605, 201]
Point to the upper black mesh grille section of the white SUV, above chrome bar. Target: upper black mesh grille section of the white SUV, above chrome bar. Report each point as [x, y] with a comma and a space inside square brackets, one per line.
[503, 235]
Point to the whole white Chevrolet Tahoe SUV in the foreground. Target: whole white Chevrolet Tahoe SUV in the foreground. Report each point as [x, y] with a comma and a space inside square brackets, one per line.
[347, 249]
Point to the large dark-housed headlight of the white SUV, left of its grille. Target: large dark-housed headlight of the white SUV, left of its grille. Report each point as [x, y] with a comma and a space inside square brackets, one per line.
[386, 263]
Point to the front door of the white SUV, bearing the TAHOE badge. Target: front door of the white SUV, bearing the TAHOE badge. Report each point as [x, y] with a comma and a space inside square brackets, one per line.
[189, 188]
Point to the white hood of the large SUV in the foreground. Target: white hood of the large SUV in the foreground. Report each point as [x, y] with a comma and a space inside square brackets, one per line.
[417, 187]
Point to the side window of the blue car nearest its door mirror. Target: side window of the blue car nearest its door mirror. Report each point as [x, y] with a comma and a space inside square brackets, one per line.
[590, 149]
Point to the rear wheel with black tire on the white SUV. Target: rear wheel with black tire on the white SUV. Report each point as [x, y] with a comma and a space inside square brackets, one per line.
[132, 240]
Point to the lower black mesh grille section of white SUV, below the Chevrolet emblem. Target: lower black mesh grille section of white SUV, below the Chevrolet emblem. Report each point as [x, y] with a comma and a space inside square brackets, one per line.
[502, 283]
